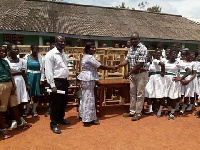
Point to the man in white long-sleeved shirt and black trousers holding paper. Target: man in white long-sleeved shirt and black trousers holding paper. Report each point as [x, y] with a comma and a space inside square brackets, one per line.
[57, 72]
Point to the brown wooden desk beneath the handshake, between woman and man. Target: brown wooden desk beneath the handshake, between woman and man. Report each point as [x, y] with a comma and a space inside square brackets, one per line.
[123, 84]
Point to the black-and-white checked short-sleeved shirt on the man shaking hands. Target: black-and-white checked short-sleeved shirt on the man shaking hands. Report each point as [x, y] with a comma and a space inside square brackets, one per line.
[137, 54]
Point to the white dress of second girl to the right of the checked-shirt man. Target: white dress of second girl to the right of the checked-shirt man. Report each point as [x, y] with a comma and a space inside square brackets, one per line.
[172, 88]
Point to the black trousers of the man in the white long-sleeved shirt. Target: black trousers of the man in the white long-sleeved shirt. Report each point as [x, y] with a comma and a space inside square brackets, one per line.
[58, 102]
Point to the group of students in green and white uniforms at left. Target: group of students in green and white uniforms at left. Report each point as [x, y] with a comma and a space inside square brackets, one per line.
[20, 79]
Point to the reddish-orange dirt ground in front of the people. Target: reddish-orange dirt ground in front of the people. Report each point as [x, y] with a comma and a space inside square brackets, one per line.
[114, 133]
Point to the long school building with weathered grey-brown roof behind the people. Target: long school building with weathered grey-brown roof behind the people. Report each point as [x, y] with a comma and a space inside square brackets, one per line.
[28, 21]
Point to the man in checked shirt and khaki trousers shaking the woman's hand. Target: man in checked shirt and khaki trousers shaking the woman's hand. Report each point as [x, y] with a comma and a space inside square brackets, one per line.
[136, 58]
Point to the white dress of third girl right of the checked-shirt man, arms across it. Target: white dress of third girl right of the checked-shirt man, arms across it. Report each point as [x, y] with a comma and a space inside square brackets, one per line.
[189, 89]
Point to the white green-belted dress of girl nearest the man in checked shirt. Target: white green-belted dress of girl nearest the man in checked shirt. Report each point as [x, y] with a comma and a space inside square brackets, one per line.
[155, 87]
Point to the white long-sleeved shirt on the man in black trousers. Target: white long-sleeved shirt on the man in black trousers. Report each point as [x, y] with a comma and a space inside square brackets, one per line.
[55, 66]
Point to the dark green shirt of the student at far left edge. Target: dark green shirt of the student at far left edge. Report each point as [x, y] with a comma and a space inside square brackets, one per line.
[4, 71]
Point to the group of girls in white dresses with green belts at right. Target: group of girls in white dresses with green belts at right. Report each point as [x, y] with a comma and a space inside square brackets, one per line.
[173, 77]
